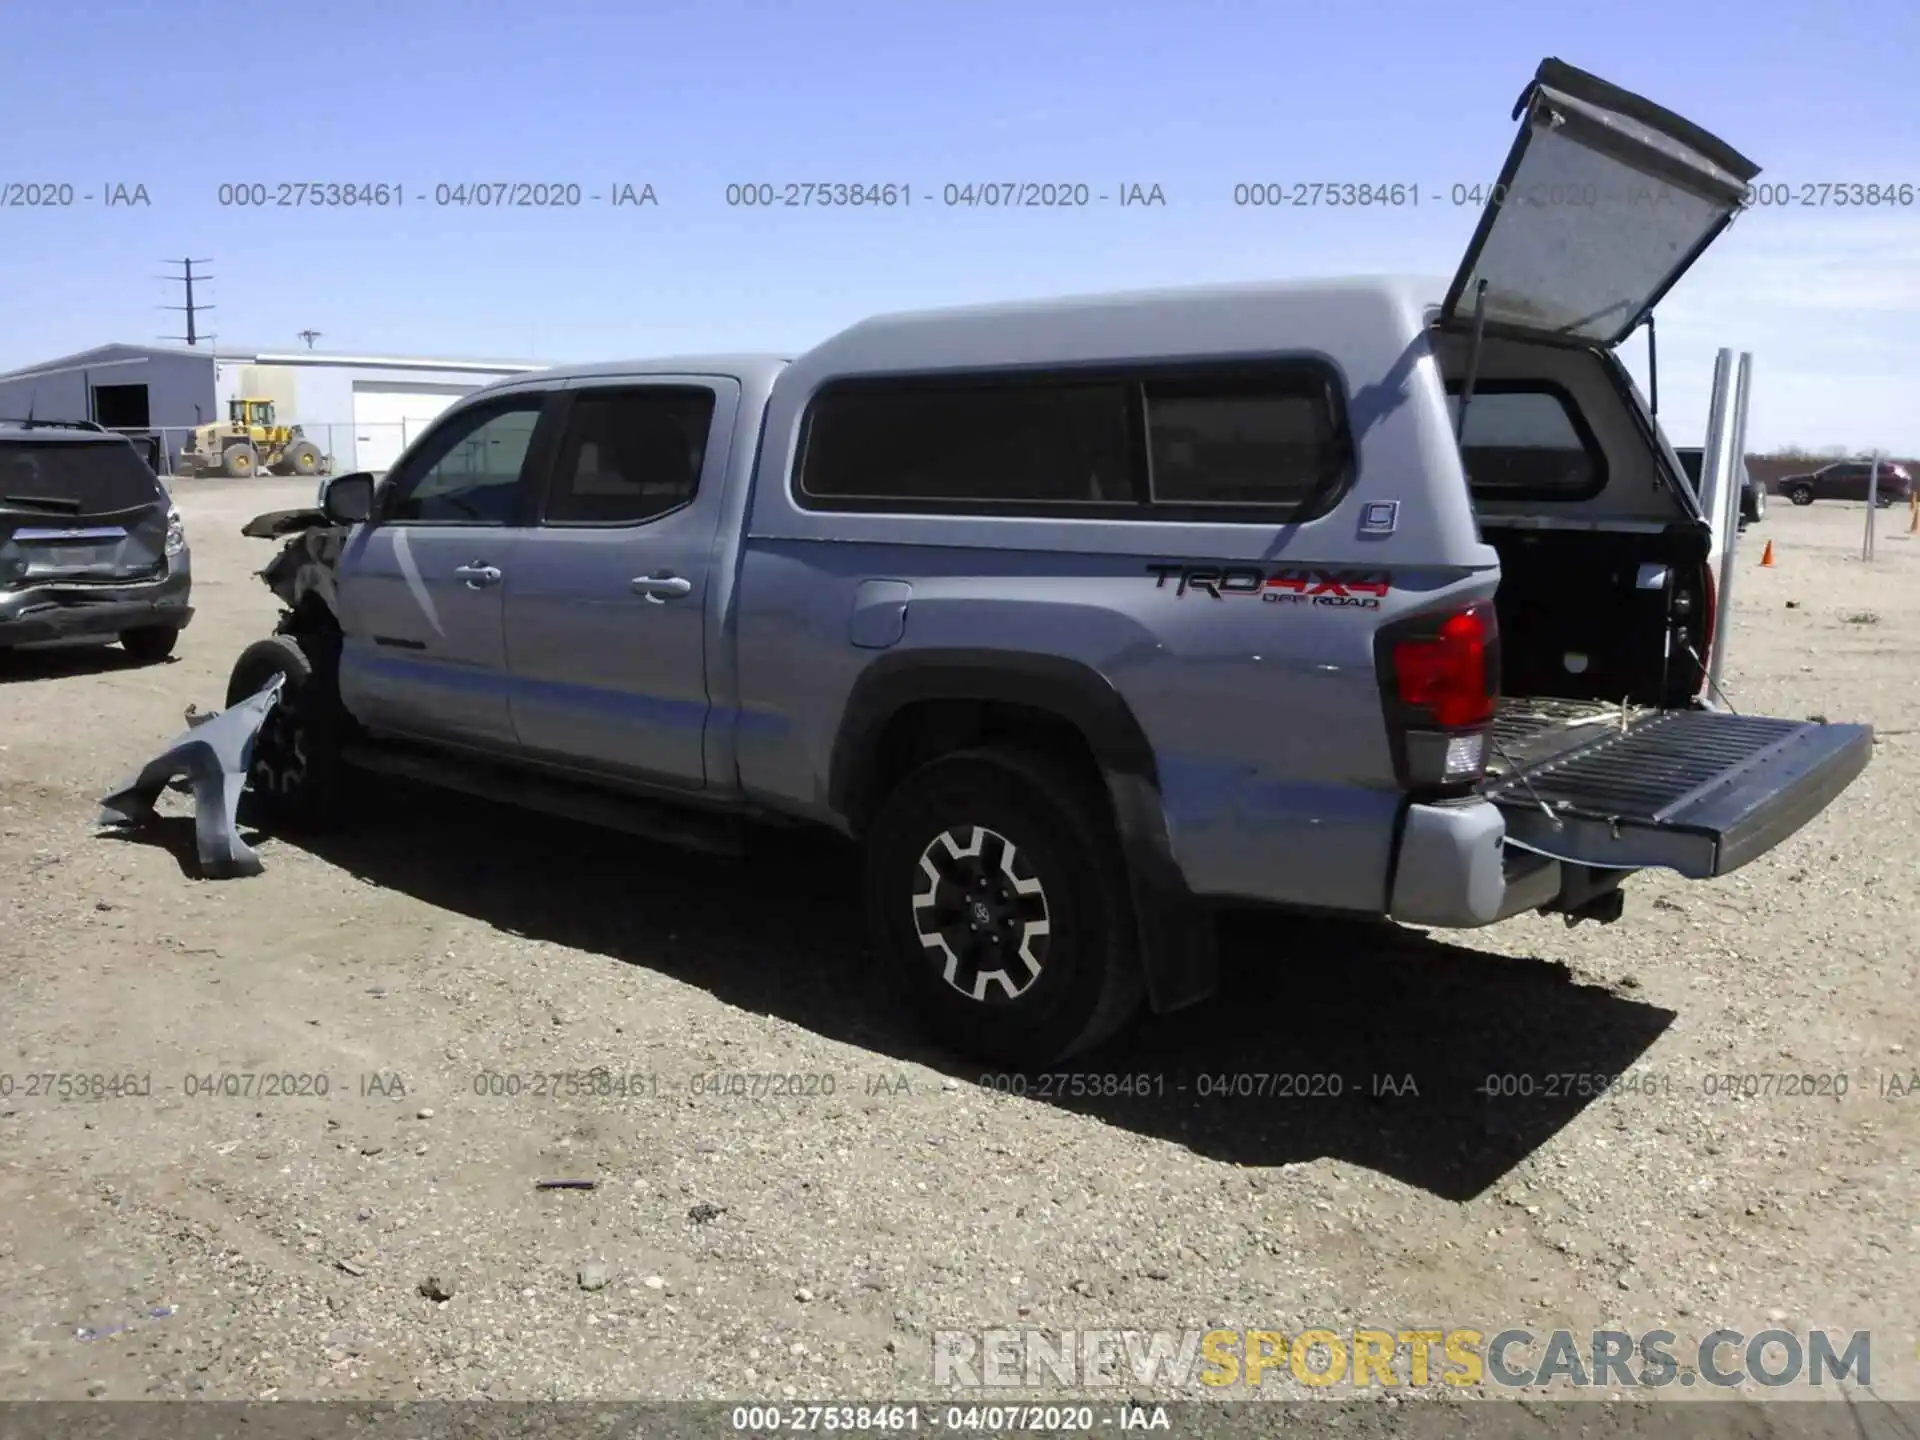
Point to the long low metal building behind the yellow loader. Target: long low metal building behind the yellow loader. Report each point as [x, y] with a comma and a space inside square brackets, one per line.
[360, 410]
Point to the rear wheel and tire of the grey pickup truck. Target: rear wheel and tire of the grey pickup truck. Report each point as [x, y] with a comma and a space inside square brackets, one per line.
[997, 892]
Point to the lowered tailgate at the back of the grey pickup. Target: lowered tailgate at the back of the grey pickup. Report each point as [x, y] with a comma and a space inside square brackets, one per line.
[1698, 792]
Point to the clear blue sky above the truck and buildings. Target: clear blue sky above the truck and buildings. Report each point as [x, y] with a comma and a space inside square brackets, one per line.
[690, 97]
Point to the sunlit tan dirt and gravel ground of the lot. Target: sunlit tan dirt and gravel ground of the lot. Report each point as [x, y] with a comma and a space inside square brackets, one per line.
[811, 1247]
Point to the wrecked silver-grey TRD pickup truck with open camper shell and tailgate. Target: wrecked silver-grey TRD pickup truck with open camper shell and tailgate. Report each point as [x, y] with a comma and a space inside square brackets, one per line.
[1374, 598]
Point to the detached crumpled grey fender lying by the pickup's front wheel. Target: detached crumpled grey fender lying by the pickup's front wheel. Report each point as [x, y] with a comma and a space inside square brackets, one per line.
[214, 756]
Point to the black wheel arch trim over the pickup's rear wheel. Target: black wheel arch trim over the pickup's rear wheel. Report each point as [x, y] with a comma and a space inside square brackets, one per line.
[1178, 942]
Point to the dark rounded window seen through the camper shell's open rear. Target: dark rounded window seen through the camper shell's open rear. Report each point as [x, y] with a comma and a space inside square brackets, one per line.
[1529, 444]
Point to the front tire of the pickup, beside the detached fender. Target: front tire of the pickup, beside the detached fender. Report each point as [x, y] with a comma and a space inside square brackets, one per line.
[295, 777]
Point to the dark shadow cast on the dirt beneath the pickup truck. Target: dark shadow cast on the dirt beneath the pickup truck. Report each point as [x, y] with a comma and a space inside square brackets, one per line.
[1362, 1044]
